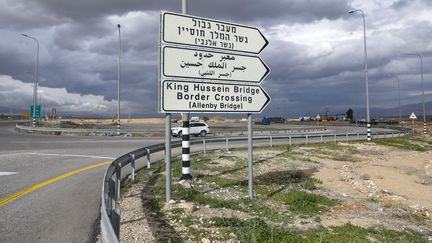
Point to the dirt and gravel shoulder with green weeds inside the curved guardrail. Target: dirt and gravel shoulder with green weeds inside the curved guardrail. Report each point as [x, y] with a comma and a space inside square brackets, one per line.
[332, 192]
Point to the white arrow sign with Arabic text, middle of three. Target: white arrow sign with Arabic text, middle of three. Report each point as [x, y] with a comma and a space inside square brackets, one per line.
[189, 63]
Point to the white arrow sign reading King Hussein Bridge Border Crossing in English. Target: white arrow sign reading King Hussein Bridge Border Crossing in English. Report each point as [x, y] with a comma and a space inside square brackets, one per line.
[185, 96]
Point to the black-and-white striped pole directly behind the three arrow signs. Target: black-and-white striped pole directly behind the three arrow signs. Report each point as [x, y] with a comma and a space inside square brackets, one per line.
[186, 175]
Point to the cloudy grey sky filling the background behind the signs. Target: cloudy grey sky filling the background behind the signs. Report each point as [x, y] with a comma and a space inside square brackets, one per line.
[315, 52]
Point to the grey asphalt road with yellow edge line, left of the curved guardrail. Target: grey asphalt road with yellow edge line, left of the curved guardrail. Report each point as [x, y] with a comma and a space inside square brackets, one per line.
[44, 197]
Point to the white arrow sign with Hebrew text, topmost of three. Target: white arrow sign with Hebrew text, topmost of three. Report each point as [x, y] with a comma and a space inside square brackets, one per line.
[196, 31]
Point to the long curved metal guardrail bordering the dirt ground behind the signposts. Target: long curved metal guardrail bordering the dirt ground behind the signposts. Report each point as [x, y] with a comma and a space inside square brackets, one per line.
[110, 212]
